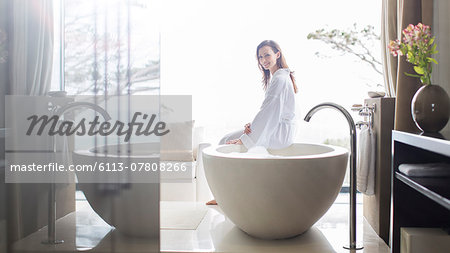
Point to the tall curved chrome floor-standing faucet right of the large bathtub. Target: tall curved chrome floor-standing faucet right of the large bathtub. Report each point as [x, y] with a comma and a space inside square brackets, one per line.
[352, 245]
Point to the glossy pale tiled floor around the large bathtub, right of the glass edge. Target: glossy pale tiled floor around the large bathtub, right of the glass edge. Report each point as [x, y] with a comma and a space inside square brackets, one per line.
[217, 233]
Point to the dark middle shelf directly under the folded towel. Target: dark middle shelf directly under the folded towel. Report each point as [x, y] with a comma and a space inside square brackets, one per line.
[437, 189]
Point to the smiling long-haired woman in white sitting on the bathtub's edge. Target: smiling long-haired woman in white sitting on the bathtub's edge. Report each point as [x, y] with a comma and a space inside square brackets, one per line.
[273, 126]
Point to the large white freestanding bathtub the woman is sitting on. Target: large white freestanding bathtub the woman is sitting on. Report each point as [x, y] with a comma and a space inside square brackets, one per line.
[275, 197]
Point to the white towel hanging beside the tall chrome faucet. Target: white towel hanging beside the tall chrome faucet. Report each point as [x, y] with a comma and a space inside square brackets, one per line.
[366, 161]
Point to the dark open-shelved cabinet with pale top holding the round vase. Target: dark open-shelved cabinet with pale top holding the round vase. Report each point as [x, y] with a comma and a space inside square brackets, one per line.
[418, 201]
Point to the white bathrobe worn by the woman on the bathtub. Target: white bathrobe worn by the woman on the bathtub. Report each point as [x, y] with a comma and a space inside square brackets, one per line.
[273, 126]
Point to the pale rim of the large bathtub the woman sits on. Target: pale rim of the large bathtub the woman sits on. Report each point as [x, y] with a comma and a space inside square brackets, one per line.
[336, 151]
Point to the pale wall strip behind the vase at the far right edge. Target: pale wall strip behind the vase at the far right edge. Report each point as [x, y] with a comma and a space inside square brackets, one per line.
[441, 29]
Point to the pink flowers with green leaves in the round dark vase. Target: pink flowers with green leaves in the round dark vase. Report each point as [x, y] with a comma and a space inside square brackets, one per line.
[418, 46]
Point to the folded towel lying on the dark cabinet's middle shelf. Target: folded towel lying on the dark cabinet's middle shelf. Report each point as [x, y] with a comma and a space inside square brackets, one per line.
[425, 170]
